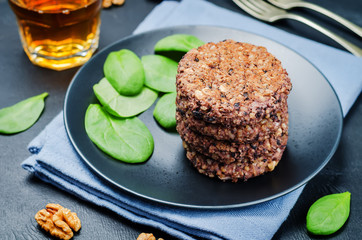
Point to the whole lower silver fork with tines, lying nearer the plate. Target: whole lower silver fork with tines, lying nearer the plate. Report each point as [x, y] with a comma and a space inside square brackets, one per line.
[269, 13]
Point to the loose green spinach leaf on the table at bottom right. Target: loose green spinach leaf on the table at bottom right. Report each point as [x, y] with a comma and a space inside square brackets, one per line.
[329, 213]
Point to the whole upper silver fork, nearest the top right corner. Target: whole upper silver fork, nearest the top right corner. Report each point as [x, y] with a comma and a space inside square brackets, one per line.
[288, 4]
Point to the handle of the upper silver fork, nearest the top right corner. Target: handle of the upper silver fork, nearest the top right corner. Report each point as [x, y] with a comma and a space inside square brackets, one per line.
[353, 27]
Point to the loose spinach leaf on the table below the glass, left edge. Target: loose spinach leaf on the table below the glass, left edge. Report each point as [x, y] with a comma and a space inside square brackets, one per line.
[22, 115]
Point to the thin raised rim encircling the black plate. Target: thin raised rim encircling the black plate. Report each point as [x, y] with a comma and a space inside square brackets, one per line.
[155, 200]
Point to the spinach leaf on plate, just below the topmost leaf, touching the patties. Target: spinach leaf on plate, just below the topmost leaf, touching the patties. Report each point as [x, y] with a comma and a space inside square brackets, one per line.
[160, 73]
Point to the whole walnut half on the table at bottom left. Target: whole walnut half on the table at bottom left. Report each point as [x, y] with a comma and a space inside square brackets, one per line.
[58, 221]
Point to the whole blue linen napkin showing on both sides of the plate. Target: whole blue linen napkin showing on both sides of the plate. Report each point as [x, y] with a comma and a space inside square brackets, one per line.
[54, 160]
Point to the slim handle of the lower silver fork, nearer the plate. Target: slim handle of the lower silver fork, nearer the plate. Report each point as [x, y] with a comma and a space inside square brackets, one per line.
[355, 50]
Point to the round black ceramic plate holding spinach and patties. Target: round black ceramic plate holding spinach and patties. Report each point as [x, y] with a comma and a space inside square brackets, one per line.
[167, 177]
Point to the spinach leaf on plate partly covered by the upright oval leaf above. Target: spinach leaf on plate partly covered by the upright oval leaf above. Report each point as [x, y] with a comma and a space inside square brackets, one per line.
[123, 106]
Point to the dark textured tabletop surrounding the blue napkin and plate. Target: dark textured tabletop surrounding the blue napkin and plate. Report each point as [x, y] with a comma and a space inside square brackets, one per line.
[22, 194]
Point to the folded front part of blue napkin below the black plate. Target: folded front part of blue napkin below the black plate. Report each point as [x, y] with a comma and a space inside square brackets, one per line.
[55, 161]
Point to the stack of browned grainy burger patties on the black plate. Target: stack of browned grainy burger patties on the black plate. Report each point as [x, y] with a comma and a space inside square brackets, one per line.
[232, 111]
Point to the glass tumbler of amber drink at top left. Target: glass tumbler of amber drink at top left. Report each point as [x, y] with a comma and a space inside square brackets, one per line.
[58, 34]
